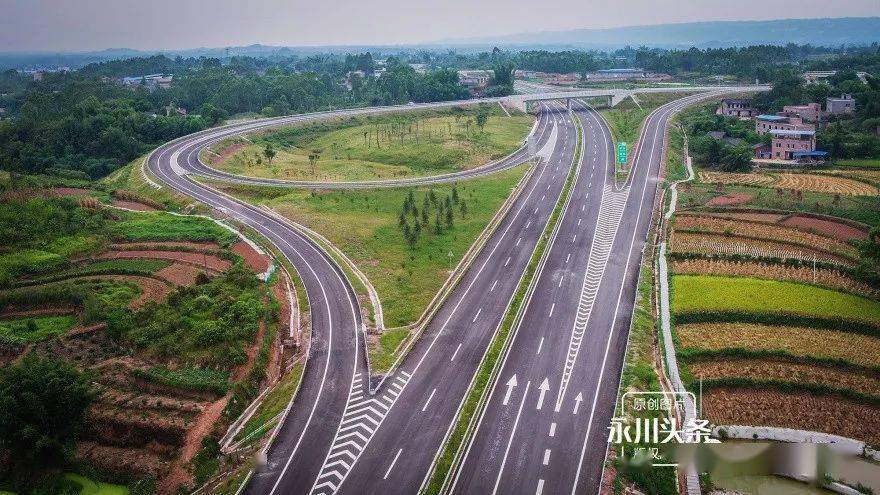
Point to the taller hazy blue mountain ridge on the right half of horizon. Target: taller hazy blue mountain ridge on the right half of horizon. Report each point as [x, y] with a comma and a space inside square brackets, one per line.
[817, 32]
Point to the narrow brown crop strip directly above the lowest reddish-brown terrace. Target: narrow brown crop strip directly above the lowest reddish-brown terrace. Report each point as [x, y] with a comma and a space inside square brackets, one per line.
[786, 371]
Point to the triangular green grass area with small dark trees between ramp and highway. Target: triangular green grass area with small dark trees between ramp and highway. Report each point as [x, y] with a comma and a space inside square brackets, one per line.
[364, 225]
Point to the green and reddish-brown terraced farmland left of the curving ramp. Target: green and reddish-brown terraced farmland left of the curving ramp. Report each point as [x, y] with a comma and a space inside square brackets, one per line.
[157, 370]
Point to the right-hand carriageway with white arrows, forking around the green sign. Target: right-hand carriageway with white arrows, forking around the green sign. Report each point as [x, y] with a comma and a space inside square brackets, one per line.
[545, 426]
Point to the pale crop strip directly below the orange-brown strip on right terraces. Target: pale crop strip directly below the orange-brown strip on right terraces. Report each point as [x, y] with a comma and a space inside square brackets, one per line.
[687, 242]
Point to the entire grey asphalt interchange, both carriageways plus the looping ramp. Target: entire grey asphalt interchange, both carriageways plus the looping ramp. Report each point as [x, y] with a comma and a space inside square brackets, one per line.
[339, 439]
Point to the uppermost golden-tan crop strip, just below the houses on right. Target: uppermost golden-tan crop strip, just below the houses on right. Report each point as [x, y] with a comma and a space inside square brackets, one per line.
[796, 181]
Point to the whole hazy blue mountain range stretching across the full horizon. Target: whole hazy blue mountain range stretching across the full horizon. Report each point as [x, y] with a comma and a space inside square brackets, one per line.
[818, 32]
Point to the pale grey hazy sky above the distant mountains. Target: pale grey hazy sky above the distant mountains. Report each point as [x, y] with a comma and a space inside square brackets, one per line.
[81, 25]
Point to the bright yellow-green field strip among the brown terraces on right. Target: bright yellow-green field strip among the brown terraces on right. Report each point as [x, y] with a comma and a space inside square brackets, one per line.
[711, 293]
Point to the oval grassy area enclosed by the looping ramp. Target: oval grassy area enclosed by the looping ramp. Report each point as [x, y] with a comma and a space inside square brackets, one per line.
[408, 145]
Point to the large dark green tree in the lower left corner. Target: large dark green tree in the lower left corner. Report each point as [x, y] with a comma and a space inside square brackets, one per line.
[42, 404]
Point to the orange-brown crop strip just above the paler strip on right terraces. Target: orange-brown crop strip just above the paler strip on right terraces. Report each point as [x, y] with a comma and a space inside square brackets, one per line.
[765, 231]
